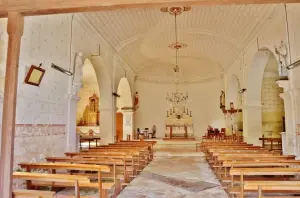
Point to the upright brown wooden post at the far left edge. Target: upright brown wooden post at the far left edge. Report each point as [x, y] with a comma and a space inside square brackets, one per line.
[15, 27]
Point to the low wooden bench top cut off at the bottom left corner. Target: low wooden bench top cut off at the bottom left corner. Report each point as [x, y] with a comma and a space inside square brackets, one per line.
[21, 193]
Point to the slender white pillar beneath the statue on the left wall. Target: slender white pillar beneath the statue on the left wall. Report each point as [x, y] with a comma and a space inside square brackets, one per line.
[72, 142]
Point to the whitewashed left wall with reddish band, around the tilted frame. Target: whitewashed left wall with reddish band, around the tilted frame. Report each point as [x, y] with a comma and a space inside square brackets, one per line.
[41, 111]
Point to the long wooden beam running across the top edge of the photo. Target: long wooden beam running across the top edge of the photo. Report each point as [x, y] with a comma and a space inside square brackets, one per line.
[42, 7]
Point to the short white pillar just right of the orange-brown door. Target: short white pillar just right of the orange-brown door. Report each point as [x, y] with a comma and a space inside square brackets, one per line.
[128, 118]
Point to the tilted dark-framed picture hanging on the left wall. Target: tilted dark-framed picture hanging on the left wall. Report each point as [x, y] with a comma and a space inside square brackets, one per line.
[34, 75]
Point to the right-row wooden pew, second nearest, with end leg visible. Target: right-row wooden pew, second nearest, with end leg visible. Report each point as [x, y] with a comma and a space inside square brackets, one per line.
[242, 172]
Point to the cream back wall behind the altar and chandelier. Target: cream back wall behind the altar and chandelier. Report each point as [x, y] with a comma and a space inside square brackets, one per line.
[204, 103]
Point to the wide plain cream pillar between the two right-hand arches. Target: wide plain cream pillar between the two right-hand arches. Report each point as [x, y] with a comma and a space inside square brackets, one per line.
[252, 124]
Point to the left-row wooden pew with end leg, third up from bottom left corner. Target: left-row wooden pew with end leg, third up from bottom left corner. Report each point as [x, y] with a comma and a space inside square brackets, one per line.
[52, 167]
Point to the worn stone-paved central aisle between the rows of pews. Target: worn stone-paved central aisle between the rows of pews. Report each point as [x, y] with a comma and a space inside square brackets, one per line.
[176, 172]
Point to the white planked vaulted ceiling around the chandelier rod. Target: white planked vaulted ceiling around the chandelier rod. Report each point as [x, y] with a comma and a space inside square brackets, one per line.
[215, 35]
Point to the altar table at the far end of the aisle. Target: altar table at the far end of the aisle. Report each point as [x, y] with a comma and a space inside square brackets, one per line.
[179, 128]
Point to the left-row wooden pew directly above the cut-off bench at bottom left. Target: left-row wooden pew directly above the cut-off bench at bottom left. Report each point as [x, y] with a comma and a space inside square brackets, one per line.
[71, 180]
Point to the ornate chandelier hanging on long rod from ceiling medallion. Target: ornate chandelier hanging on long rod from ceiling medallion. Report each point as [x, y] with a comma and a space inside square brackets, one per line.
[177, 99]
